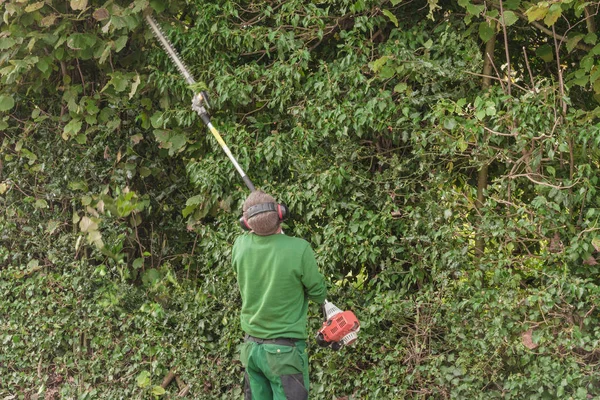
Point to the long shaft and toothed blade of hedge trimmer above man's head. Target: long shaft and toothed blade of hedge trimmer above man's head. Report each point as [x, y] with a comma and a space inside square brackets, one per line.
[200, 100]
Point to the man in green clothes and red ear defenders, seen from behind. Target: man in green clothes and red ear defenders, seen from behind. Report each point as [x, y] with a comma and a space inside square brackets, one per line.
[277, 275]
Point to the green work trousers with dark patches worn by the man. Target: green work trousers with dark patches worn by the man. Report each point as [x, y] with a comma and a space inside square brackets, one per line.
[275, 371]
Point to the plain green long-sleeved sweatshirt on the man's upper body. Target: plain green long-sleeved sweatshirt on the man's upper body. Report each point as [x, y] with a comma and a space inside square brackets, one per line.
[277, 275]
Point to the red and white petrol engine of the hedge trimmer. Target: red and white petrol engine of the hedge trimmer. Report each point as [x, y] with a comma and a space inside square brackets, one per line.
[339, 329]
